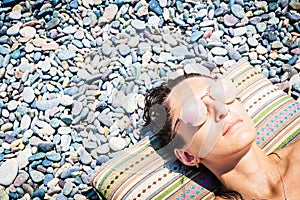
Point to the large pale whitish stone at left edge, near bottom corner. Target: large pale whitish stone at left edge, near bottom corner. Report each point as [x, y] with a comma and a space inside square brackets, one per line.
[11, 166]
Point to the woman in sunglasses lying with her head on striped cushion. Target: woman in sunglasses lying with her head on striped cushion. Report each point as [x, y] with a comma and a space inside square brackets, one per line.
[216, 132]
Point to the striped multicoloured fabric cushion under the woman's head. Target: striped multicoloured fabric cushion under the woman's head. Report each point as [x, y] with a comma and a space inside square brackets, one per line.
[146, 171]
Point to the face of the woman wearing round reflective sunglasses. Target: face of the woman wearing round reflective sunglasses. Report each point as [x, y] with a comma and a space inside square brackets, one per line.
[209, 124]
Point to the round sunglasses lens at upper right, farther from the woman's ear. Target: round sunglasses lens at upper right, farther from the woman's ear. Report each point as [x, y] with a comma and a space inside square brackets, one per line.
[224, 91]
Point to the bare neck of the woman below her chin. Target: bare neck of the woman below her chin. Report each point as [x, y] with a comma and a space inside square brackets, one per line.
[259, 175]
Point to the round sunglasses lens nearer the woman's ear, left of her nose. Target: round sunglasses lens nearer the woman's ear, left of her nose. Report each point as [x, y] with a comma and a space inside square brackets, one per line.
[193, 112]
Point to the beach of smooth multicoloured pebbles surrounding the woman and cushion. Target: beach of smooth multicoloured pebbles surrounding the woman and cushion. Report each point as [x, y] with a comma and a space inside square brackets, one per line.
[74, 73]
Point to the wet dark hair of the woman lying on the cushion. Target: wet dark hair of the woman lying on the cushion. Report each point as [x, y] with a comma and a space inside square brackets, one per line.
[158, 118]
